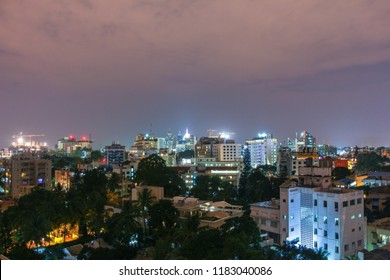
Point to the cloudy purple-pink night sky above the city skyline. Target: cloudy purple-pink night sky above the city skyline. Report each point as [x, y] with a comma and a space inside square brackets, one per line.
[113, 68]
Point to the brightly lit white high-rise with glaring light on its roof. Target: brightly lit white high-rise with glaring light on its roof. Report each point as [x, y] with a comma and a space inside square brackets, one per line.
[263, 150]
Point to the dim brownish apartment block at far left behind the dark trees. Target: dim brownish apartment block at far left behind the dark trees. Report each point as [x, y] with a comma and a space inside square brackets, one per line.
[29, 171]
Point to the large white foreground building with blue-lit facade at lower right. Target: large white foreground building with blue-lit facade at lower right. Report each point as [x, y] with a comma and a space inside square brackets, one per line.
[314, 214]
